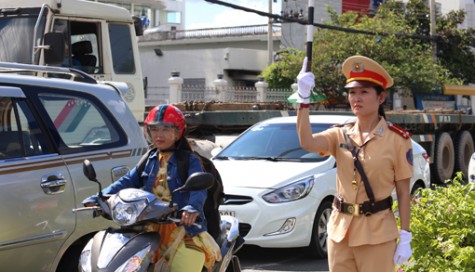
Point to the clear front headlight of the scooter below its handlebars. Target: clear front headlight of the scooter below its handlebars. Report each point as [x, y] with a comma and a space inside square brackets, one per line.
[126, 213]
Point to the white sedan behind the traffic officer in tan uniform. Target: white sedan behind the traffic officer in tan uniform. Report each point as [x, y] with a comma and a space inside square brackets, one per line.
[281, 194]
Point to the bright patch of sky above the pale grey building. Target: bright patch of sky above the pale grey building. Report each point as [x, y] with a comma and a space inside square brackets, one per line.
[202, 14]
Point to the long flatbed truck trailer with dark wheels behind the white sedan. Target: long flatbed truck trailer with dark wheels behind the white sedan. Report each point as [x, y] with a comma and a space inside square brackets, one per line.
[446, 134]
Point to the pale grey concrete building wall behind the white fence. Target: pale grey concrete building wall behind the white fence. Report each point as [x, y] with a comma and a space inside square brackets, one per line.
[239, 59]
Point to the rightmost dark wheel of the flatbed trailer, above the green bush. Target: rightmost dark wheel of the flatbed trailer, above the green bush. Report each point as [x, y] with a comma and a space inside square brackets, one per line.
[464, 149]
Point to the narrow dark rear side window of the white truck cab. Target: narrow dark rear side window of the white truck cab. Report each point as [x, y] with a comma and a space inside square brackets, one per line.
[122, 50]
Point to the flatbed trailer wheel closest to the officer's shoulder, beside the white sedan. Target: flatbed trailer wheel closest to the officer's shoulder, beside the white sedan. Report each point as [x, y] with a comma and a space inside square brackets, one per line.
[442, 167]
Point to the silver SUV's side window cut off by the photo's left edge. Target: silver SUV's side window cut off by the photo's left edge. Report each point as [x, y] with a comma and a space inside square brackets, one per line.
[19, 131]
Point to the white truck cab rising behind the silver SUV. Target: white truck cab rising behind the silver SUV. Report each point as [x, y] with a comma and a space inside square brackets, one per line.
[97, 38]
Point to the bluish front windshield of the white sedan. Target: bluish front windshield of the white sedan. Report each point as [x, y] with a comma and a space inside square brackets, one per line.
[276, 142]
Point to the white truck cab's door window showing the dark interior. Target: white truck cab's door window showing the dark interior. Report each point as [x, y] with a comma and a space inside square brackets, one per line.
[81, 45]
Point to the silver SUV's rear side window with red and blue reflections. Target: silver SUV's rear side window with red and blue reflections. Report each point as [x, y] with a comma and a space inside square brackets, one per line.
[80, 122]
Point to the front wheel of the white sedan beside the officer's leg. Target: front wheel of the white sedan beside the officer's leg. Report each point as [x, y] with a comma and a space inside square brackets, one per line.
[318, 243]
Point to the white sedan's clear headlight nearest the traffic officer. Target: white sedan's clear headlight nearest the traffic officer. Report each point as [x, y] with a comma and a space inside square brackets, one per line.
[291, 192]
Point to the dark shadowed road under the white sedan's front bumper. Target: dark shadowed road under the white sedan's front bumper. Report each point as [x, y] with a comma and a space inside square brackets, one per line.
[255, 259]
